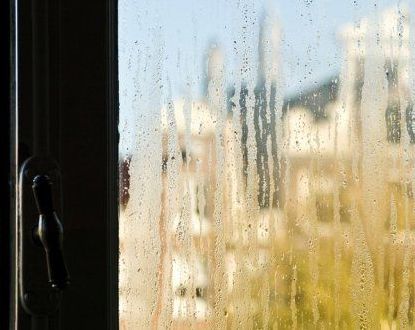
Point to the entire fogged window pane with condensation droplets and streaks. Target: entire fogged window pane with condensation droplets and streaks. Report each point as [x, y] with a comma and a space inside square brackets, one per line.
[267, 164]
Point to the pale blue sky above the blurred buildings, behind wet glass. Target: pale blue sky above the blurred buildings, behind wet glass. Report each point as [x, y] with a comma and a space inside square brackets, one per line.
[167, 41]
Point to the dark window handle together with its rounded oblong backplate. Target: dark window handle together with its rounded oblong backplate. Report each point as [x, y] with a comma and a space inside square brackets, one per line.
[41, 269]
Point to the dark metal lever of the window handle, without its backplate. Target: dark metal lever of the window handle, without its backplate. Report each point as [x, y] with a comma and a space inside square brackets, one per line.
[49, 233]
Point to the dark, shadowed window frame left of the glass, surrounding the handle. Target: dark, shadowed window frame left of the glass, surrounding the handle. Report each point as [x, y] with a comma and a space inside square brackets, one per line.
[82, 63]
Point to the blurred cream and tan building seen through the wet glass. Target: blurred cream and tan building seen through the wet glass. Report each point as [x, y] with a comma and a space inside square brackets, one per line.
[248, 179]
